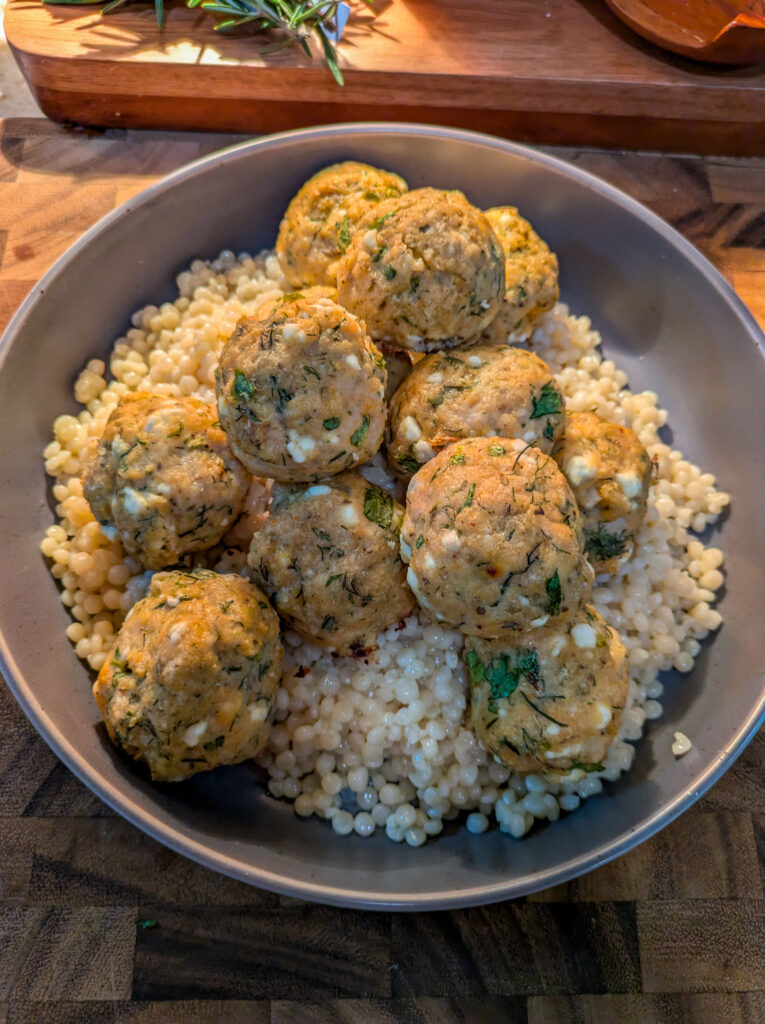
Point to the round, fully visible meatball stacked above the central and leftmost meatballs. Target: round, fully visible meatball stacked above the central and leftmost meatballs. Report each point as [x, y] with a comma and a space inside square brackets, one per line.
[302, 392]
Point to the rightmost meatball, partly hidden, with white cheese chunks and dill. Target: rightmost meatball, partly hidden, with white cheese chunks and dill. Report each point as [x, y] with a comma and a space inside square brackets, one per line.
[610, 473]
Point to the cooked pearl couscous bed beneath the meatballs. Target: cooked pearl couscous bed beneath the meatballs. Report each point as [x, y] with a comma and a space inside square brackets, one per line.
[384, 743]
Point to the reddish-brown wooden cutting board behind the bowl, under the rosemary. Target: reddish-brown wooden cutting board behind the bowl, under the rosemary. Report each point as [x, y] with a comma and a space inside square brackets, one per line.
[555, 71]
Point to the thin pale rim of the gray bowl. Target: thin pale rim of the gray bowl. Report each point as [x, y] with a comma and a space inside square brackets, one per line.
[174, 837]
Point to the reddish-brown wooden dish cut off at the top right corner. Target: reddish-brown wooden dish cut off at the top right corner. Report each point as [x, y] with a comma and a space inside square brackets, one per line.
[715, 31]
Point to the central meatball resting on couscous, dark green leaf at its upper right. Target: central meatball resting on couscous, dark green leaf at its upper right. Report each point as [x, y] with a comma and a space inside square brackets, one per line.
[329, 558]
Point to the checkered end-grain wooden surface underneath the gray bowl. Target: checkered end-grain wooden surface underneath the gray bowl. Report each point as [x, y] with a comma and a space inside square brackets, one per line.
[673, 932]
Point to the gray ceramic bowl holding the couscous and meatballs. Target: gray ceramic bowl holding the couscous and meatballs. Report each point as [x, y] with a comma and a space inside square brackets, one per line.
[669, 319]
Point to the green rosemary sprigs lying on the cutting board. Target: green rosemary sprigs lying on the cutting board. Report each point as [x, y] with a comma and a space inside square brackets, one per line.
[296, 20]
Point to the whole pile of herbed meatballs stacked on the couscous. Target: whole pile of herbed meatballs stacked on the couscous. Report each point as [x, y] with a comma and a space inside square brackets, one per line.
[396, 335]
